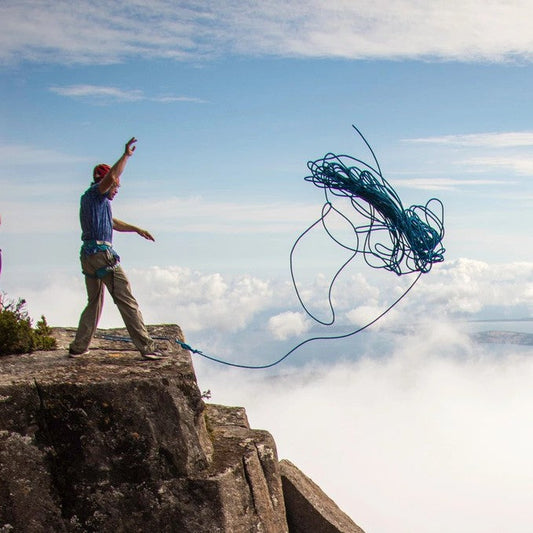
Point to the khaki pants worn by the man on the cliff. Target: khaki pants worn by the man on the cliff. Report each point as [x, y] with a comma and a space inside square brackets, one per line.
[118, 286]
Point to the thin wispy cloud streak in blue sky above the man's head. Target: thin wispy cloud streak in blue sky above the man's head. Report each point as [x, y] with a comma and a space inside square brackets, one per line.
[106, 94]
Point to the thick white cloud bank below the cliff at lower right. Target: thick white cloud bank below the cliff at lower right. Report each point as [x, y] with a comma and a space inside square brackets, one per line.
[433, 437]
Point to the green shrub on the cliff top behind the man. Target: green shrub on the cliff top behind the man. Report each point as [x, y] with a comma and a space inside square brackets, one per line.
[16, 332]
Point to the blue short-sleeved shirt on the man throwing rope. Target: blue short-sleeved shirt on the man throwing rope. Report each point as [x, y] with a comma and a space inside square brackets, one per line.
[96, 217]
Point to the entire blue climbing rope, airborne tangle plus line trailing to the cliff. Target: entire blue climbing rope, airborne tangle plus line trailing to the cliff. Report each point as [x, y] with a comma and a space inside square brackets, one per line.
[390, 237]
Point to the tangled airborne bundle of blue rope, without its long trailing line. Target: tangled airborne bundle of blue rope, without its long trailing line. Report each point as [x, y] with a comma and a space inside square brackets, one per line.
[414, 235]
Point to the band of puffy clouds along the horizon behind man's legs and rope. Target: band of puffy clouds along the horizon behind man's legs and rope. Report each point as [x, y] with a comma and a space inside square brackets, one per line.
[208, 303]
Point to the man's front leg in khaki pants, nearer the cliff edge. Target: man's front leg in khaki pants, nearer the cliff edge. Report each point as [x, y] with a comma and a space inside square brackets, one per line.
[118, 285]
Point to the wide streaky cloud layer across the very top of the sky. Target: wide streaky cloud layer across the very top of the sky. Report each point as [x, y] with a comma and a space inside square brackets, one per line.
[101, 32]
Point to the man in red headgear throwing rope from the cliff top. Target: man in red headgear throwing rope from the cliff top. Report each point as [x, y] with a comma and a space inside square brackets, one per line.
[101, 264]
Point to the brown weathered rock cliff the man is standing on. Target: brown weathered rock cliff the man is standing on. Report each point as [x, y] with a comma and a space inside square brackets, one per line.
[110, 443]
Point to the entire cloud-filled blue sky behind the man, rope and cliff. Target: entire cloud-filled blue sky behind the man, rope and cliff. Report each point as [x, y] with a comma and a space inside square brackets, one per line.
[229, 100]
